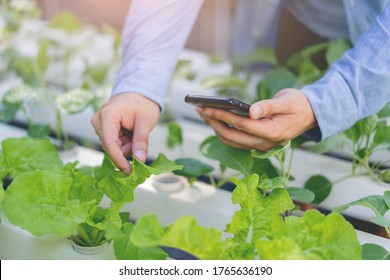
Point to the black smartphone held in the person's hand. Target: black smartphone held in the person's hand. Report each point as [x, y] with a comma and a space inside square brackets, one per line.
[231, 104]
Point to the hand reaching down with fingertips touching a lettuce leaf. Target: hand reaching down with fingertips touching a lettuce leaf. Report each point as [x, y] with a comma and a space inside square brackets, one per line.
[123, 125]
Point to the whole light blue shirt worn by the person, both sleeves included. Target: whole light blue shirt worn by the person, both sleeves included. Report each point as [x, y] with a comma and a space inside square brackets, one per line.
[356, 86]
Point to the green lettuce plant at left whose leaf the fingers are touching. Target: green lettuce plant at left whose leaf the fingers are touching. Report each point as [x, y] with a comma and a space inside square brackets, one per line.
[47, 197]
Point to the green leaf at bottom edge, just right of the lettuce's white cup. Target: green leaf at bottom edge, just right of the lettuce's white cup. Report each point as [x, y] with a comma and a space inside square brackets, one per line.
[124, 249]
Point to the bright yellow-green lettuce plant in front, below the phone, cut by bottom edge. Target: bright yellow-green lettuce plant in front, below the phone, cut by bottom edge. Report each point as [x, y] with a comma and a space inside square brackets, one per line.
[257, 231]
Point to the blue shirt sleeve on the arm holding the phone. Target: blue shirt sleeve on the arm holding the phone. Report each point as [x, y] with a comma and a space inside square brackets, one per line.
[357, 85]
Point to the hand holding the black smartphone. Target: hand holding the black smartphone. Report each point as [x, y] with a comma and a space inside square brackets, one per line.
[271, 122]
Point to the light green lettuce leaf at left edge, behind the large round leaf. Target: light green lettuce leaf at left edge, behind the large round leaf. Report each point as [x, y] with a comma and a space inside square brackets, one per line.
[32, 154]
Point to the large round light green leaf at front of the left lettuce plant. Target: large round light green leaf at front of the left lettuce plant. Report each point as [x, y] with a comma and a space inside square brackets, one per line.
[38, 202]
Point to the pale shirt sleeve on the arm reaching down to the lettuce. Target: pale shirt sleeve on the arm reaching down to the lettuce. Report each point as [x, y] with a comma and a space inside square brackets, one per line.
[153, 36]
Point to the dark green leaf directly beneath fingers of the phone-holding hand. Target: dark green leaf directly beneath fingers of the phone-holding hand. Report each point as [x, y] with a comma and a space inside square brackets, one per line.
[237, 159]
